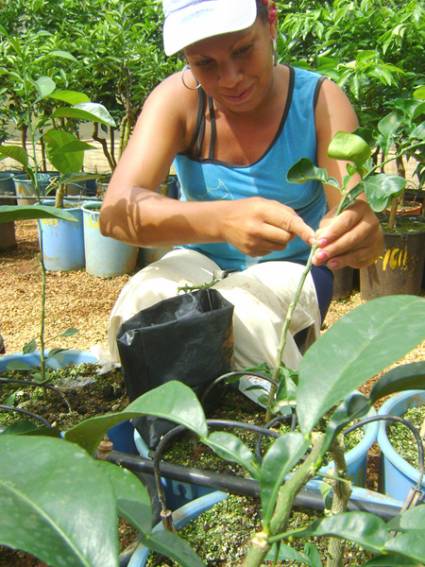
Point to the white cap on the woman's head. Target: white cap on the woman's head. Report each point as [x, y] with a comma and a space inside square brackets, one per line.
[189, 21]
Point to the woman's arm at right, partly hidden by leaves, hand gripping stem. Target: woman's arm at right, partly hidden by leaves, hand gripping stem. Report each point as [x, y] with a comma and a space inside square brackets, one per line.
[355, 237]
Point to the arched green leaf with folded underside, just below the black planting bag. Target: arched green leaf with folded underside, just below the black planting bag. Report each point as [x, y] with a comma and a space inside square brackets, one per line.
[174, 401]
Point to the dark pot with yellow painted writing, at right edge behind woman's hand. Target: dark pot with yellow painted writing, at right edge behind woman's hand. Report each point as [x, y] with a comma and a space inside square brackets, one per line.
[401, 268]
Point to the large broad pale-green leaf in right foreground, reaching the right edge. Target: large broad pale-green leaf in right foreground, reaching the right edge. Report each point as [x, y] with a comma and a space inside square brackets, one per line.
[355, 348]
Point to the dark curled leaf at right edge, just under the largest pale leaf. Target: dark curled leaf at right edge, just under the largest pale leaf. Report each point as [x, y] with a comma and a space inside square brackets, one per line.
[405, 377]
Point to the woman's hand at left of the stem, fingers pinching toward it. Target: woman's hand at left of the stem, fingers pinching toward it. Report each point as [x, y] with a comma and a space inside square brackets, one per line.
[258, 226]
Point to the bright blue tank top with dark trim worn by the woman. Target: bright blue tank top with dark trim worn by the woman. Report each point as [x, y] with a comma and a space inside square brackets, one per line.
[211, 180]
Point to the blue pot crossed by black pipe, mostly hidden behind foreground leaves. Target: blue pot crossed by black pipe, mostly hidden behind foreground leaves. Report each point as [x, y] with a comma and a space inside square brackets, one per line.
[179, 493]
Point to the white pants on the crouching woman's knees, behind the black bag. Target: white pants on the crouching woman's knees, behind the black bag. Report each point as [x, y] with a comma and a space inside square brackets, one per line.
[261, 295]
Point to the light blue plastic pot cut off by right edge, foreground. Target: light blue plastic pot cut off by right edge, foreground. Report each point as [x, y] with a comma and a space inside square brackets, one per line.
[398, 476]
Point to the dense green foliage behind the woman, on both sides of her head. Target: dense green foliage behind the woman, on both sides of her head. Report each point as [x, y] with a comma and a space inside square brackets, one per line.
[372, 48]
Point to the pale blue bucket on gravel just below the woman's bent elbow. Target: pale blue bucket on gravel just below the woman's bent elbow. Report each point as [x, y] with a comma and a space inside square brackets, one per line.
[105, 257]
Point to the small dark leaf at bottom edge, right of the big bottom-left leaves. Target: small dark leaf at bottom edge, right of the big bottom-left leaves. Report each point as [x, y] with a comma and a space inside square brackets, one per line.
[172, 546]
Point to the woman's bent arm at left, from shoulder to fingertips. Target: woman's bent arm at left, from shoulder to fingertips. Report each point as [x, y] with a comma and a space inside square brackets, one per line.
[133, 212]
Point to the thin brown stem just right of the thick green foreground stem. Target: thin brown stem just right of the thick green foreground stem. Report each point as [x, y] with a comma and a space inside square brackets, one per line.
[341, 495]
